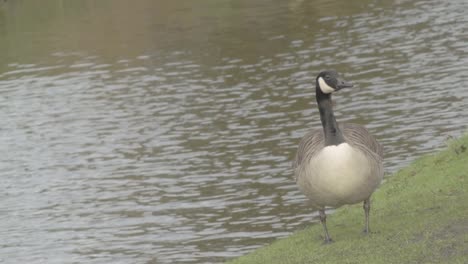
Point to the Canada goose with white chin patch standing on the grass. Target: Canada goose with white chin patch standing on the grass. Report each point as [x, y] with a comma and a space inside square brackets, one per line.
[338, 164]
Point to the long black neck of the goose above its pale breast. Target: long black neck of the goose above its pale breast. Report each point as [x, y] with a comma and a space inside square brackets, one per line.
[333, 135]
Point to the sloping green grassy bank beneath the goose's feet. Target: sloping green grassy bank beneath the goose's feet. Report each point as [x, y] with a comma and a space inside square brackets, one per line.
[419, 215]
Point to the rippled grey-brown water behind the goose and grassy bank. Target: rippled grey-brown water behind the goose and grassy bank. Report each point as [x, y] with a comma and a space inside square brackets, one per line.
[163, 131]
